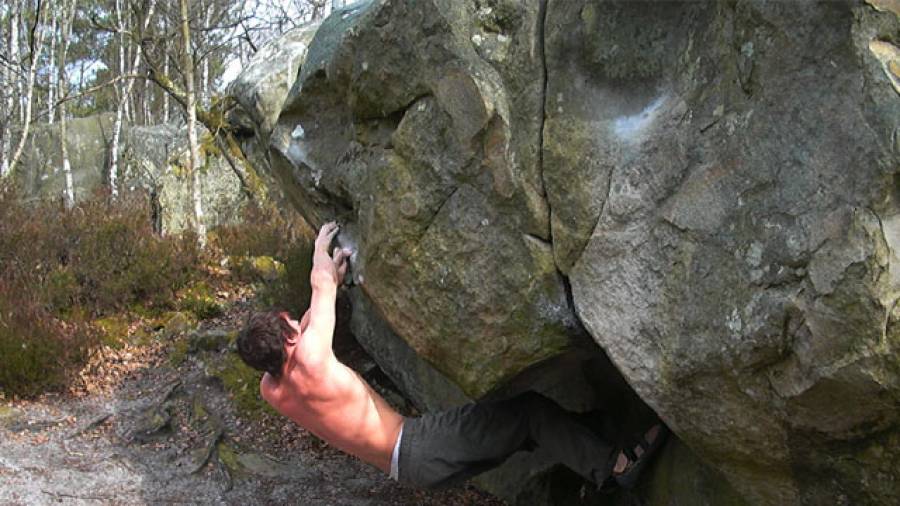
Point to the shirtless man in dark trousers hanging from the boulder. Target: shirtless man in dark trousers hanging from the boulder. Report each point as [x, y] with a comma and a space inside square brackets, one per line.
[304, 381]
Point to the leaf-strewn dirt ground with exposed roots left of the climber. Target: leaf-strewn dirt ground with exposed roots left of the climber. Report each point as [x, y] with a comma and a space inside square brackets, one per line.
[152, 422]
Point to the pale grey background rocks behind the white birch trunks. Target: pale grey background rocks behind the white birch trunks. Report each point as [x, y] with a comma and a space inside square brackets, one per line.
[153, 158]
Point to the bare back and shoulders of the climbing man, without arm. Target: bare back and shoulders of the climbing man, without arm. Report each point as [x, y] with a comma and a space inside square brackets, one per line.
[338, 406]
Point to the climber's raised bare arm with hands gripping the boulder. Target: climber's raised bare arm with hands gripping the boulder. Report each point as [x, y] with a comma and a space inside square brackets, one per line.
[327, 273]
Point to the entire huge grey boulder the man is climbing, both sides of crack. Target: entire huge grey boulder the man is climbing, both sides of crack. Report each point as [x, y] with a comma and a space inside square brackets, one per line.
[717, 182]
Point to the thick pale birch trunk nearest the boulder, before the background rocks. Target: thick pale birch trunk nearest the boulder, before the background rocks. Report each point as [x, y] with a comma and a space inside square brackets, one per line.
[194, 163]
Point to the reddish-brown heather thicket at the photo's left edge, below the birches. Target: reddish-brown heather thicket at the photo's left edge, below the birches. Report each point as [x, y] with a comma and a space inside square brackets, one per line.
[62, 268]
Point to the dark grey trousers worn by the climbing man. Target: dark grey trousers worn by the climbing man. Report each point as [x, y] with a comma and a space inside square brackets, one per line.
[446, 448]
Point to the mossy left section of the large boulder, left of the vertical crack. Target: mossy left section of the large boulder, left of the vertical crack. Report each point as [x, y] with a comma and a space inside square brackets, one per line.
[397, 126]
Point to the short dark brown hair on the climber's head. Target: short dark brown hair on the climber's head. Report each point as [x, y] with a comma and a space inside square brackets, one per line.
[261, 342]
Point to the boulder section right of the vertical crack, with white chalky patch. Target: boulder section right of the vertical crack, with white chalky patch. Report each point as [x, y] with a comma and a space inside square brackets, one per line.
[739, 260]
